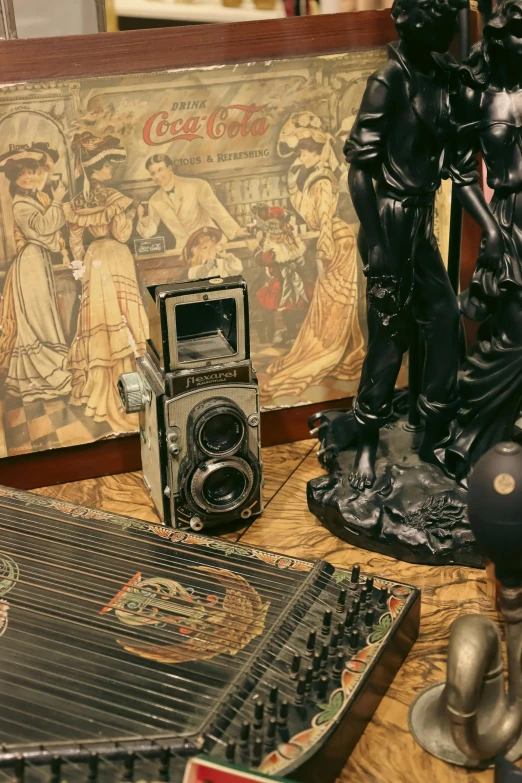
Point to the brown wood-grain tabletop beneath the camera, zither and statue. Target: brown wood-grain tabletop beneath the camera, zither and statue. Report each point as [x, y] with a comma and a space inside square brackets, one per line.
[386, 752]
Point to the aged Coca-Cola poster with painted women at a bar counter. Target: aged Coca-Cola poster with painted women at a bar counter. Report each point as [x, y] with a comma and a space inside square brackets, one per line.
[110, 184]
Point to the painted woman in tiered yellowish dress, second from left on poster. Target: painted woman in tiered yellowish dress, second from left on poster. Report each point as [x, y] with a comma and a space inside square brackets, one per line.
[112, 325]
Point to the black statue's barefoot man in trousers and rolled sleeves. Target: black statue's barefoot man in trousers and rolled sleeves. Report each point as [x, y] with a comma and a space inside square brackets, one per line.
[399, 150]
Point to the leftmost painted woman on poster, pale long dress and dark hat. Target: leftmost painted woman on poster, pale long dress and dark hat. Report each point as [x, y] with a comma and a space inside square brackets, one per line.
[33, 350]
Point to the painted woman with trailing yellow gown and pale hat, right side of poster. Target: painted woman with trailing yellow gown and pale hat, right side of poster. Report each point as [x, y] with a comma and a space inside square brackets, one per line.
[330, 342]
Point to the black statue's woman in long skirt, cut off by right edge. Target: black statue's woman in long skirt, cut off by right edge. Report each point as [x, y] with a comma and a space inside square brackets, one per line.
[490, 119]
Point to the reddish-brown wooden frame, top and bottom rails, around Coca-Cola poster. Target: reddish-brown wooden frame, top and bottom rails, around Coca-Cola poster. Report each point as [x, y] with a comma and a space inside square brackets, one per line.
[147, 51]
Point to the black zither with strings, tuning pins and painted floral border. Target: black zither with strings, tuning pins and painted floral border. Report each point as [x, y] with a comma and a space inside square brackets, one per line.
[126, 648]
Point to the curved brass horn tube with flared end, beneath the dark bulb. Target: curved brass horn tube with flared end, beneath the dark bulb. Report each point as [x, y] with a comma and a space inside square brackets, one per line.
[473, 717]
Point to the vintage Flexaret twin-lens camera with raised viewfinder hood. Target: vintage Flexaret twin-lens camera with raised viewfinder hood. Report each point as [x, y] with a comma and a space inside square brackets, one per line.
[197, 395]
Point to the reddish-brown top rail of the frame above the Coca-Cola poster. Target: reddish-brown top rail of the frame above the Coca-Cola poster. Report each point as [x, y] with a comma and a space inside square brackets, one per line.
[184, 47]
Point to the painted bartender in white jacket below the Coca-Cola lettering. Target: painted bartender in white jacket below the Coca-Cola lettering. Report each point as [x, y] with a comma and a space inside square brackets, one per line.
[182, 204]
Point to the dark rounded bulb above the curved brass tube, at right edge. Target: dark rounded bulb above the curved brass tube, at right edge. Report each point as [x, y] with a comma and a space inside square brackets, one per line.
[495, 508]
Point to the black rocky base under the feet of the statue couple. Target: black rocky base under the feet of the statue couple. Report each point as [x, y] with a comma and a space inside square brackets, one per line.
[413, 511]
